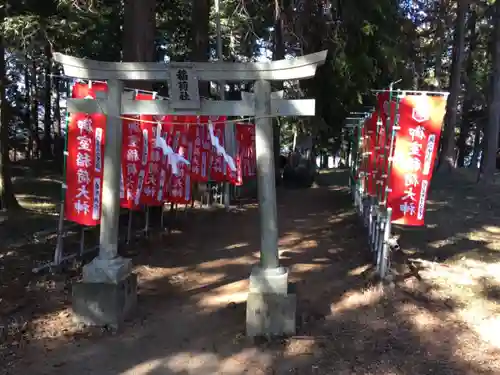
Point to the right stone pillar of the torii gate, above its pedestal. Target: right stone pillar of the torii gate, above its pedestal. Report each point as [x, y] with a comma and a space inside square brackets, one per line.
[266, 178]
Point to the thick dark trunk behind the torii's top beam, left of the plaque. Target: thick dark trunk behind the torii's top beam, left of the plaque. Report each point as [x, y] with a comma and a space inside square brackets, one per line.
[139, 35]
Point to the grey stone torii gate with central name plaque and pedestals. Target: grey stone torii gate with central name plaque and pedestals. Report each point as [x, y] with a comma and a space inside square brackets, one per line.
[108, 290]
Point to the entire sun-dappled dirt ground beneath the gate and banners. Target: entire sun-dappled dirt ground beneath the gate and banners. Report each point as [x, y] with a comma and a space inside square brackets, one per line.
[440, 316]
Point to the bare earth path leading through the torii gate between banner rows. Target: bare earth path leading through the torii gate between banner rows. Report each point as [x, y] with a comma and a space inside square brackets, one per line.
[191, 306]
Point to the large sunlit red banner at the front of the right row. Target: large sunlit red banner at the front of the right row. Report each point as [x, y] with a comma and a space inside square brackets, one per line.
[416, 143]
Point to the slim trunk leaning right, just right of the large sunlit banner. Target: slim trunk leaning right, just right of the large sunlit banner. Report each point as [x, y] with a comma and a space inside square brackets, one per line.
[470, 90]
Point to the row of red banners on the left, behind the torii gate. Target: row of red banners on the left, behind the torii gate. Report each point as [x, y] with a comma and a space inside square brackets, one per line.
[147, 177]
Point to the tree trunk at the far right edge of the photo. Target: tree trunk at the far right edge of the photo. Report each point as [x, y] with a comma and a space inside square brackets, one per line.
[492, 128]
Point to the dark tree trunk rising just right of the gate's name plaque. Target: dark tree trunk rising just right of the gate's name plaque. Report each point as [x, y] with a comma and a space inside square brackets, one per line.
[200, 38]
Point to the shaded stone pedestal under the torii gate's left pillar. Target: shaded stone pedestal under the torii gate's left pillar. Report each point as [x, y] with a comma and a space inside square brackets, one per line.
[107, 295]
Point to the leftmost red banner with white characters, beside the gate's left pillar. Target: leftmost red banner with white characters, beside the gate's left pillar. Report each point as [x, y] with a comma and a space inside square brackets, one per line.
[85, 163]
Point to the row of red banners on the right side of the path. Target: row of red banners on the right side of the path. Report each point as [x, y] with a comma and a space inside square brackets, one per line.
[399, 143]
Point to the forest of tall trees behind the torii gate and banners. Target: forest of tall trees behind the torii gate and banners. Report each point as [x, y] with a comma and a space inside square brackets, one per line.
[446, 45]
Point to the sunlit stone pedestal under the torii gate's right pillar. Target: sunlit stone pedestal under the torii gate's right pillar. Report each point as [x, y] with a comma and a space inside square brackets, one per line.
[271, 308]
